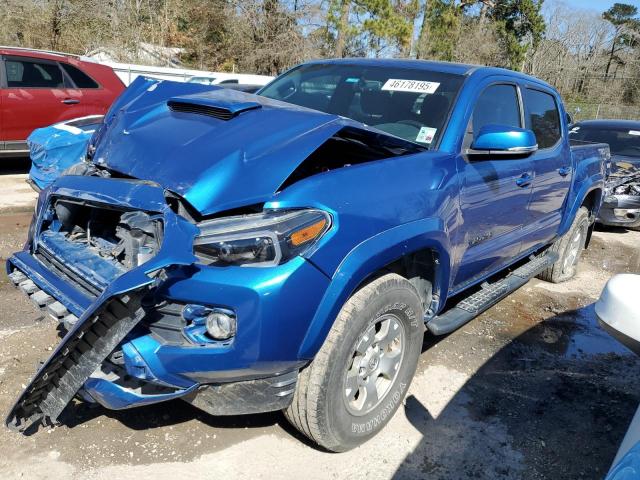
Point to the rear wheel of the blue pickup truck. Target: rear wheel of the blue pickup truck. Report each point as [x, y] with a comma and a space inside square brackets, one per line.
[565, 267]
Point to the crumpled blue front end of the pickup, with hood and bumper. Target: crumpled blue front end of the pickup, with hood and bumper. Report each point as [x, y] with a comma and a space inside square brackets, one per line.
[171, 260]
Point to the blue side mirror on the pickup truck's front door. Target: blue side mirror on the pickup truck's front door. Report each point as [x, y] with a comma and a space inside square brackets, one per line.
[503, 140]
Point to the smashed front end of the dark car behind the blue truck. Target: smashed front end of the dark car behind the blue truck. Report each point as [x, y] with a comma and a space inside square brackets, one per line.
[621, 204]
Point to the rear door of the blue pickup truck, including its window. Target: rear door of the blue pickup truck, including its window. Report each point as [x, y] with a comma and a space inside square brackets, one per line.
[552, 166]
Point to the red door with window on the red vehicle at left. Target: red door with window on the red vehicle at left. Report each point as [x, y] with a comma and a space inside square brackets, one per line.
[36, 96]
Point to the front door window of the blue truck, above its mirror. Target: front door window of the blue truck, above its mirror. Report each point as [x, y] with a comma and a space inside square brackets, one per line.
[497, 105]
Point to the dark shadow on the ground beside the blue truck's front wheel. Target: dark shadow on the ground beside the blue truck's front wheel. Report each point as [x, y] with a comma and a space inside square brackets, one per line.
[553, 403]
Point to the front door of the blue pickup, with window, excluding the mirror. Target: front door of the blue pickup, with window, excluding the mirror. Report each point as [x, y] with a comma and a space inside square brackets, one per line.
[495, 191]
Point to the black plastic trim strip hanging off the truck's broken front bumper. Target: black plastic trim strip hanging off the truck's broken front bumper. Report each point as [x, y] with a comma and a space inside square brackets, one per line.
[77, 357]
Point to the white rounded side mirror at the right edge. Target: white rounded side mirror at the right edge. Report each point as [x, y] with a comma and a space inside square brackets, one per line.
[618, 310]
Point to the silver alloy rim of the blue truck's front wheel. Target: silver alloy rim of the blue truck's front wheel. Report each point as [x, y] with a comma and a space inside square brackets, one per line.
[374, 364]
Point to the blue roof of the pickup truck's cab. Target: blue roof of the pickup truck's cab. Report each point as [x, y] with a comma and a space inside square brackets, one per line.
[443, 67]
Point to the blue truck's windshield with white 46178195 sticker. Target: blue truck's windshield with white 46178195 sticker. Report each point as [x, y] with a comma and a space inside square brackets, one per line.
[409, 103]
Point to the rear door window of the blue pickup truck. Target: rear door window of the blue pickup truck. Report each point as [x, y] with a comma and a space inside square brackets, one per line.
[542, 117]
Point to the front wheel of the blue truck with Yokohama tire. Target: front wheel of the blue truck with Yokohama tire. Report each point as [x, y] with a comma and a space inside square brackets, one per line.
[320, 409]
